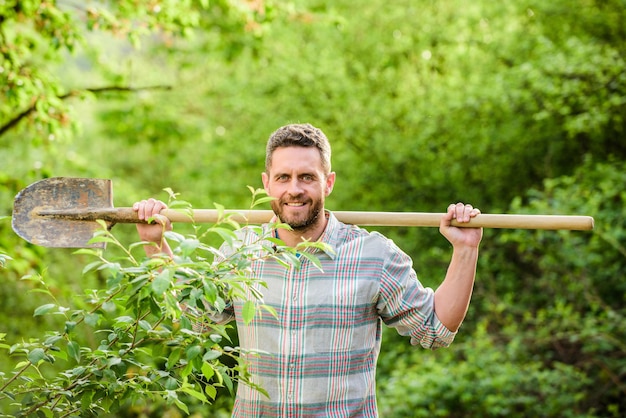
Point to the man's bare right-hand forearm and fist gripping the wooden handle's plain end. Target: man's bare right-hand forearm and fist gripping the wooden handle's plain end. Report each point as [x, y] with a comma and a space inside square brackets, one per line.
[453, 296]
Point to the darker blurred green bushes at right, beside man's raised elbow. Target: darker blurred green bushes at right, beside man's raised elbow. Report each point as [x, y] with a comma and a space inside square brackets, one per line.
[544, 336]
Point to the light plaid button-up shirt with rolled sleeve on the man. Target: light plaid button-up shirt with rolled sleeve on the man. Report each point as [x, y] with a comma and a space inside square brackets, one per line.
[318, 357]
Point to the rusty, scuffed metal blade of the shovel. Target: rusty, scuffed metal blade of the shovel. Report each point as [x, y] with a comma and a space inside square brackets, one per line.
[60, 193]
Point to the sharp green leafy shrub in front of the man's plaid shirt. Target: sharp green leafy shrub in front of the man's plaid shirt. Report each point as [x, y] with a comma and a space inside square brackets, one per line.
[156, 339]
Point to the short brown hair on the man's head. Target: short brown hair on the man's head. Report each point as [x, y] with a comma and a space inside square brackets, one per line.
[299, 135]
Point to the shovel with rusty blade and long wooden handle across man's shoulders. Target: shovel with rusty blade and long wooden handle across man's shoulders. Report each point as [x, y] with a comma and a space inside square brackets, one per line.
[62, 212]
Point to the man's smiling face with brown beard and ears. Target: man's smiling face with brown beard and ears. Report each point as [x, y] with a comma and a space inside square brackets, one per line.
[297, 182]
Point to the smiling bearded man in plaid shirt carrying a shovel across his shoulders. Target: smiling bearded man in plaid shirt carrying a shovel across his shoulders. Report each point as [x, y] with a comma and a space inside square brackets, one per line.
[322, 348]
